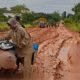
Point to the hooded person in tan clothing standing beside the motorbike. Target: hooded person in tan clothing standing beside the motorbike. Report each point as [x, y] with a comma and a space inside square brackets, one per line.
[23, 42]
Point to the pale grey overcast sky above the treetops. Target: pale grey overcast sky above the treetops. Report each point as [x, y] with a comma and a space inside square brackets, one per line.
[47, 6]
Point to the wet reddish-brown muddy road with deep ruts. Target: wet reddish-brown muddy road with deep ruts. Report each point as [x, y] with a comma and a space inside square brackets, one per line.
[56, 57]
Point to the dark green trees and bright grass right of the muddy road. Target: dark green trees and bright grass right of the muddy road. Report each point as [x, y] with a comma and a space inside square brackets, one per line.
[73, 21]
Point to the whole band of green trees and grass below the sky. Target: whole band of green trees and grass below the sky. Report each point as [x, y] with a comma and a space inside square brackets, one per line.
[32, 19]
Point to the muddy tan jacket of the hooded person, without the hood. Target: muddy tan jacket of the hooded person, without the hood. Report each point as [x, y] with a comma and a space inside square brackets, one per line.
[21, 39]
